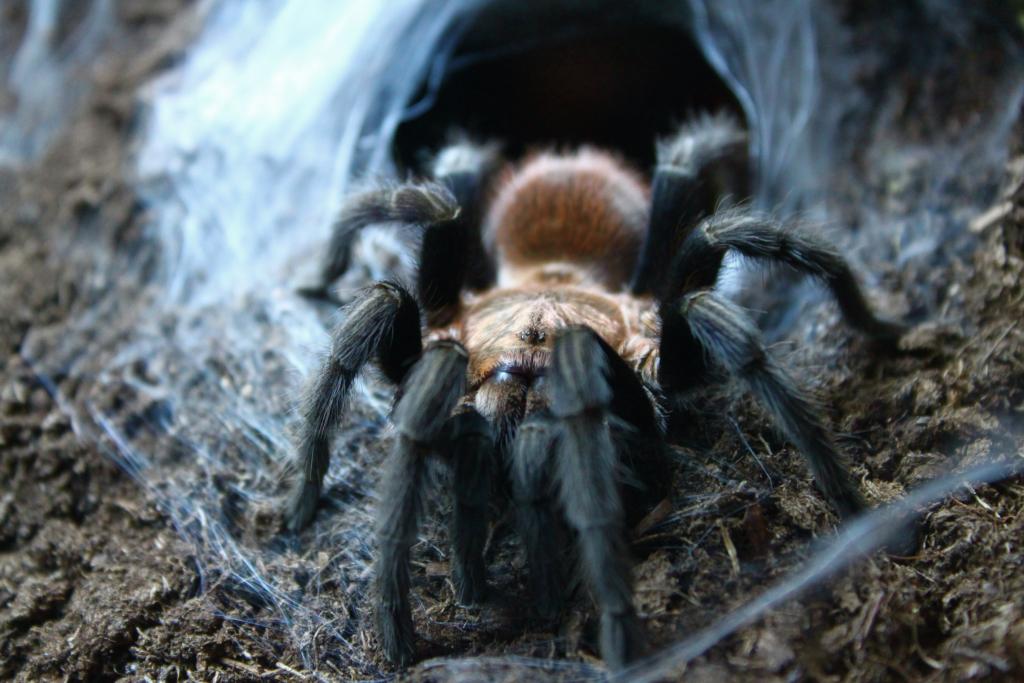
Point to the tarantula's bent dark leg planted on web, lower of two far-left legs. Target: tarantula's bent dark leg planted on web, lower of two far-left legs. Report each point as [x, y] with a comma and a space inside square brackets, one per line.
[383, 323]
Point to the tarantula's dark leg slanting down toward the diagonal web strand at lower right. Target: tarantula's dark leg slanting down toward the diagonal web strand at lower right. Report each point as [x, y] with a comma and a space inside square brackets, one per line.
[707, 328]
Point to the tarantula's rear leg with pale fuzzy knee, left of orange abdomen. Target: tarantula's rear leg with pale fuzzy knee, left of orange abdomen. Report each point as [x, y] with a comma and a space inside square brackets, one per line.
[466, 168]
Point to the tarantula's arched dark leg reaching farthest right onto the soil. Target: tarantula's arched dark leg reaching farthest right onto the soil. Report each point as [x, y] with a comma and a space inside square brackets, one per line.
[698, 264]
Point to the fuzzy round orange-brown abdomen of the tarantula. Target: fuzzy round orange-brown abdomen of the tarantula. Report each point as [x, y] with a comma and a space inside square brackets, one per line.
[586, 209]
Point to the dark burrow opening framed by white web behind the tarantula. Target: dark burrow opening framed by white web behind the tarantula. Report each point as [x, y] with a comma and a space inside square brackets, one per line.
[564, 76]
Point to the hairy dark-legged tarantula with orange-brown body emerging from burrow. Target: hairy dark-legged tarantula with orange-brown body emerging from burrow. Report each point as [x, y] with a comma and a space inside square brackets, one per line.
[559, 305]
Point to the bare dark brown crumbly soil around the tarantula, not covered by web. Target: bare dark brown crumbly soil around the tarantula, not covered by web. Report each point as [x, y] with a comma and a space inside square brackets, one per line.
[96, 585]
